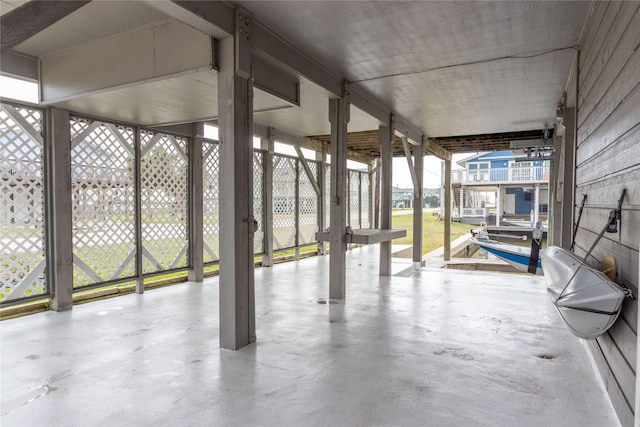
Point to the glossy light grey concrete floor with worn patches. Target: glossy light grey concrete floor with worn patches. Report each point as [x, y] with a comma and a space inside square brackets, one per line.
[439, 347]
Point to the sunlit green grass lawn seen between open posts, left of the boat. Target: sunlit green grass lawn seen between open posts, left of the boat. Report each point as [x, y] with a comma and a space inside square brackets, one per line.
[432, 231]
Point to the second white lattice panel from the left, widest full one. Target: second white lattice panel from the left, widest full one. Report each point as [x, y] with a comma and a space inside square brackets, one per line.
[103, 201]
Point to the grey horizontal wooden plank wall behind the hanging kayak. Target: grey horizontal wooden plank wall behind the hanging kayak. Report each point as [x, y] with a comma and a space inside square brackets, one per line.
[608, 160]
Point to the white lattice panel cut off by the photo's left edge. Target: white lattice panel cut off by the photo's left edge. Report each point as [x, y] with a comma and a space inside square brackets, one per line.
[21, 203]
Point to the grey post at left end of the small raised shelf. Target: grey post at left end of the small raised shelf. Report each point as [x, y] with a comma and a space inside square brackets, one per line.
[339, 117]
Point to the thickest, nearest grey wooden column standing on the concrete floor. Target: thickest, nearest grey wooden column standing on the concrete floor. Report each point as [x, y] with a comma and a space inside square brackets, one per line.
[235, 109]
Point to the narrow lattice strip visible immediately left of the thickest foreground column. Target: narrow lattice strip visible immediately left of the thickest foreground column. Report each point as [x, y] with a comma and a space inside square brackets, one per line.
[211, 200]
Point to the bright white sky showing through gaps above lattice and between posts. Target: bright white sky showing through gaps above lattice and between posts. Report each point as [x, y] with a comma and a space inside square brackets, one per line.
[28, 91]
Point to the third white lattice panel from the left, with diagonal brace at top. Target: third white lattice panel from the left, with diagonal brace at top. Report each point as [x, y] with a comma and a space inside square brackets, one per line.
[164, 201]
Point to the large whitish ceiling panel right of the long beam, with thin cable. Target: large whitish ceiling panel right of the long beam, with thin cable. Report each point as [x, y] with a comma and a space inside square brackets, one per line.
[445, 62]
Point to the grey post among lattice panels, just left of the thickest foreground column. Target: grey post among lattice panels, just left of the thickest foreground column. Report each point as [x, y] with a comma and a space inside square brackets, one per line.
[196, 190]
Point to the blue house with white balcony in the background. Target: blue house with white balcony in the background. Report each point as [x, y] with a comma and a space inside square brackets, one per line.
[519, 187]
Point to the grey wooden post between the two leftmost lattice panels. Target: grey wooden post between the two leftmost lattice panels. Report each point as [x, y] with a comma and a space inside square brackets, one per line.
[58, 204]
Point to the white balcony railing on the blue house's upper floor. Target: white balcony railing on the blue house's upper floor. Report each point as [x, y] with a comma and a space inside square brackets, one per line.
[501, 175]
